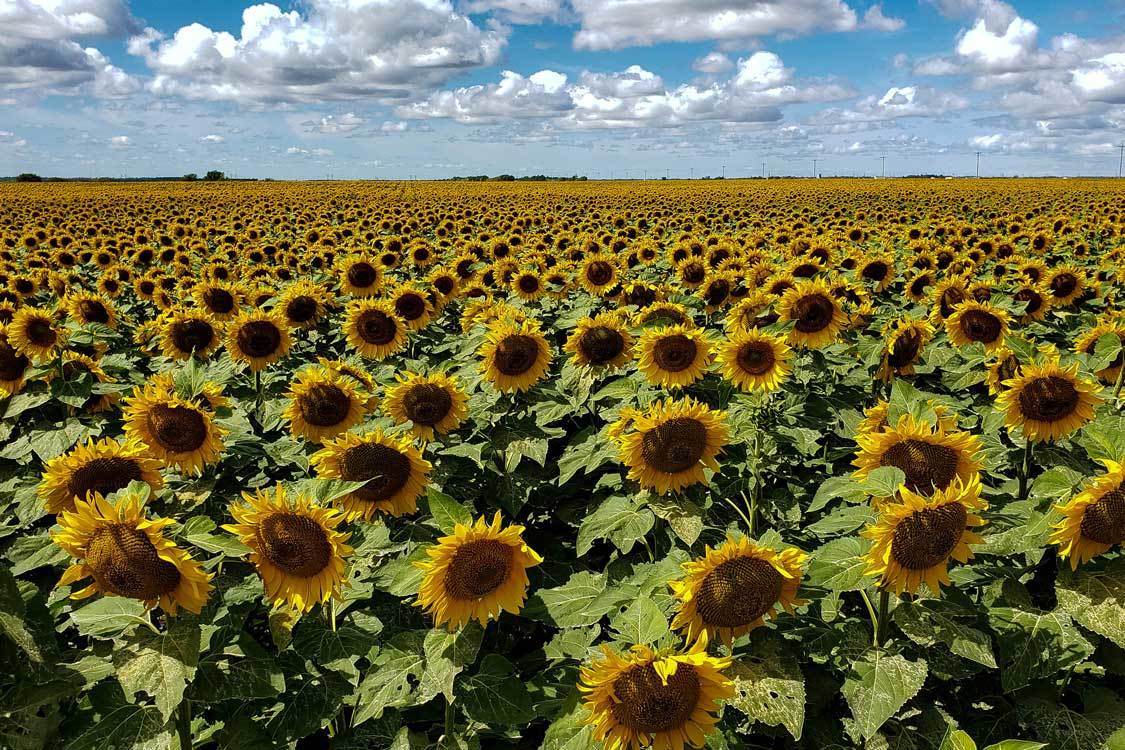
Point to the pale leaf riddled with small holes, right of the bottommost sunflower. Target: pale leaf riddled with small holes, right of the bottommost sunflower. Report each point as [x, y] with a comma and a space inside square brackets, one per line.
[769, 685]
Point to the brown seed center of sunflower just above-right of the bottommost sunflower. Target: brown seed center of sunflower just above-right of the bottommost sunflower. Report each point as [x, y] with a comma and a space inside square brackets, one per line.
[739, 592]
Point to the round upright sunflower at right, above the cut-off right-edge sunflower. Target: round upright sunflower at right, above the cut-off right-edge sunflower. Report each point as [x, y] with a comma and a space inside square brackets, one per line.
[1048, 401]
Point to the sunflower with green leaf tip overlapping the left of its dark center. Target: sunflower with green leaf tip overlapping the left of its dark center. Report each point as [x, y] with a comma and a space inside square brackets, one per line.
[393, 469]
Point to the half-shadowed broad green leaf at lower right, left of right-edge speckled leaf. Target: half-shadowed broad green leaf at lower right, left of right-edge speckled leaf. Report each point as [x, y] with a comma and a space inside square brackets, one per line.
[1036, 645]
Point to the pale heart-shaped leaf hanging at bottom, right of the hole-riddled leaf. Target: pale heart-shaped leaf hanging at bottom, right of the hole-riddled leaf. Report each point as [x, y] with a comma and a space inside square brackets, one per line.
[878, 688]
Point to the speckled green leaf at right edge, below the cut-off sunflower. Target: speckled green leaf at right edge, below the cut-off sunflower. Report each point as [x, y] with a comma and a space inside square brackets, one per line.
[1096, 599]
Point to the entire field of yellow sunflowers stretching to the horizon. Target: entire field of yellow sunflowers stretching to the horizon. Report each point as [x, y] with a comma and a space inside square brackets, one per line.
[736, 465]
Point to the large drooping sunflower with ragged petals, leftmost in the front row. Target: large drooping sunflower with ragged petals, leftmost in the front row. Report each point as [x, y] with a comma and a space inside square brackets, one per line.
[127, 555]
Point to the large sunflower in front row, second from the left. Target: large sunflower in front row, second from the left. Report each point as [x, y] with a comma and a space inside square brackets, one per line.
[295, 547]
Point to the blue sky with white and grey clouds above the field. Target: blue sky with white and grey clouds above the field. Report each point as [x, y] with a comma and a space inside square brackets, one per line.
[402, 89]
